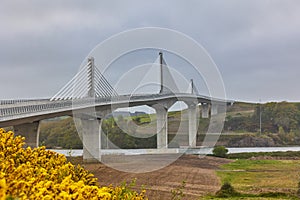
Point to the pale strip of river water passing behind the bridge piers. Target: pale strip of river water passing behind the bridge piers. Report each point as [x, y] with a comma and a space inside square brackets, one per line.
[79, 152]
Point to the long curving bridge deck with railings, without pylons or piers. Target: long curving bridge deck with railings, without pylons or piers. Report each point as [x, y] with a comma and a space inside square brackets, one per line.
[11, 110]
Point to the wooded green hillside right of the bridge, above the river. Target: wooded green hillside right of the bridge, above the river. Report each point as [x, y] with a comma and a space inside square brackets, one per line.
[276, 117]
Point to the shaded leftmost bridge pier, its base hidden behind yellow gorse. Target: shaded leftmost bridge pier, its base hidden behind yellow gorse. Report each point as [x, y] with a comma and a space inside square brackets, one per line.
[31, 133]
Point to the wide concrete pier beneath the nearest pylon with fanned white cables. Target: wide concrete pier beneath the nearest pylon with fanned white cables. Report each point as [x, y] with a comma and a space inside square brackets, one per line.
[91, 138]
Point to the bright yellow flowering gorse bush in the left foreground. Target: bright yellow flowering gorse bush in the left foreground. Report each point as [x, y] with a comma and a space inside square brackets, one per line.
[42, 174]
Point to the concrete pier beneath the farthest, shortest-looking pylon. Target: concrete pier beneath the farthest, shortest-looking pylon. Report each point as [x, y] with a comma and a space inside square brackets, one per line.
[193, 125]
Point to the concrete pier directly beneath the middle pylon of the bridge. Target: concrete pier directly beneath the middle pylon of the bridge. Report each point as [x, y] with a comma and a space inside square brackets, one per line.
[162, 127]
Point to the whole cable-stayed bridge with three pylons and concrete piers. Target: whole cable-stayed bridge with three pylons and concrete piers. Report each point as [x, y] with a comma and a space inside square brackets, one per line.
[89, 90]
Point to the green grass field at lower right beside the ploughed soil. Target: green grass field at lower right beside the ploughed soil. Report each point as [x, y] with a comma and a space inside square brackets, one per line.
[262, 179]
